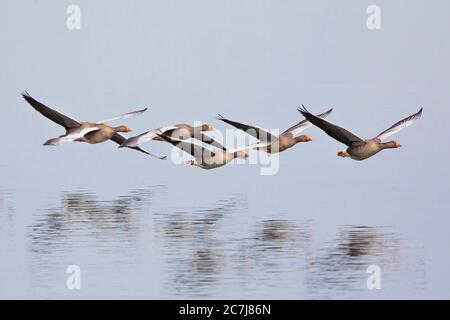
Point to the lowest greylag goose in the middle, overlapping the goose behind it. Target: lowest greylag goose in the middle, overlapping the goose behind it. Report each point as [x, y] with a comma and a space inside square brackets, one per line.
[203, 157]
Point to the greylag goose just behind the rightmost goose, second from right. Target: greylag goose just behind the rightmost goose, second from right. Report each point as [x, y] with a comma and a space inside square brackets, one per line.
[271, 143]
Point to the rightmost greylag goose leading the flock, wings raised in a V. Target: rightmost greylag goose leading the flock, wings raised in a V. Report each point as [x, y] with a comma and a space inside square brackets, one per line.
[358, 148]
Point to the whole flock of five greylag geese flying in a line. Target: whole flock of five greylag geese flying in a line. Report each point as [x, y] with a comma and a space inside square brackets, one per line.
[208, 153]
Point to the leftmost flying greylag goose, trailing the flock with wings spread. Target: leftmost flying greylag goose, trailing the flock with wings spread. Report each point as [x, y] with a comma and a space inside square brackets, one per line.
[90, 132]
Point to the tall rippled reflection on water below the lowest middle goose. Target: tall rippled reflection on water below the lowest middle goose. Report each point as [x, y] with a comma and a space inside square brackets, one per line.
[192, 247]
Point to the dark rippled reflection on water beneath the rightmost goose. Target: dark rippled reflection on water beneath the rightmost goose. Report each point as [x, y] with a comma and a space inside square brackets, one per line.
[341, 266]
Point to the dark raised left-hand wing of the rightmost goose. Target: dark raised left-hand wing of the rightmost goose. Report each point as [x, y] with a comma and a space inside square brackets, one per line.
[340, 134]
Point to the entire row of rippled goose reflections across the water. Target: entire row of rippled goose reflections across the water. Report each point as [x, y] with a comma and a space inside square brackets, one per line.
[213, 250]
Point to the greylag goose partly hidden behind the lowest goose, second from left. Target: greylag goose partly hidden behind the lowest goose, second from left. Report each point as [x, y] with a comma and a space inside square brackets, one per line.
[181, 131]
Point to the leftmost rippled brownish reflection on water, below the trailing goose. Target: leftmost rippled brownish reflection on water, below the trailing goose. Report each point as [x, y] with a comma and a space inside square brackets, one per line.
[82, 216]
